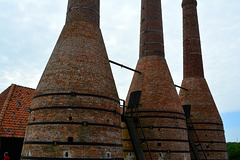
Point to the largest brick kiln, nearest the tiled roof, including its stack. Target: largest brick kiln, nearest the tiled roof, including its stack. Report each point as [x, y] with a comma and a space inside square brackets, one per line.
[75, 111]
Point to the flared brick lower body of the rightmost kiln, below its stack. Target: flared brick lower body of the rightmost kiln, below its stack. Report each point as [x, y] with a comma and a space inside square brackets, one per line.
[205, 117]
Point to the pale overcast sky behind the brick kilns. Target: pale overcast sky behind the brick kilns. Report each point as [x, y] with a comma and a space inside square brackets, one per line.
[29, 30]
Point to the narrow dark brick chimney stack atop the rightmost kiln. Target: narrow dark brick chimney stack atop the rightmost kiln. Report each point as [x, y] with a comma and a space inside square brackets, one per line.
[193, 66]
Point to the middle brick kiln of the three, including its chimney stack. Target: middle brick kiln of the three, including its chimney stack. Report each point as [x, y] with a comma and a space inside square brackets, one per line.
[159, 109]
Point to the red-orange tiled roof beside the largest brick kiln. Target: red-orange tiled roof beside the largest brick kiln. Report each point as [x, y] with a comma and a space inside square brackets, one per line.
[15, 102]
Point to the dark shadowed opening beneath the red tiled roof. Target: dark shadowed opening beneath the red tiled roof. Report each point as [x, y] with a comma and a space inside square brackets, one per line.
[13, 146]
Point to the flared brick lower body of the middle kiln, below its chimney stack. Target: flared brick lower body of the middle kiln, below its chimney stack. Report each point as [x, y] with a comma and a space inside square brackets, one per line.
[164, 123]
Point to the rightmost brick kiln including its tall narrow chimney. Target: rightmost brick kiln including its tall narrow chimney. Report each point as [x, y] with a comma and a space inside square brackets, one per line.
[206, 121]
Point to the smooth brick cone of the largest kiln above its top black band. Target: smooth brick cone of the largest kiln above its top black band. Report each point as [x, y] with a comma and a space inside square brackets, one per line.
[78, 59]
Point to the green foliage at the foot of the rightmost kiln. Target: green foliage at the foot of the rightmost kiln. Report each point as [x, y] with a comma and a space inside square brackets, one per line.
[233, 151]
